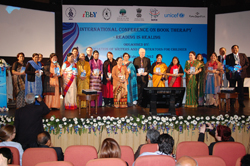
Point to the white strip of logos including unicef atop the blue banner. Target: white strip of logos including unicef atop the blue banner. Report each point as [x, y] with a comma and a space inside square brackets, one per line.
[134, 14]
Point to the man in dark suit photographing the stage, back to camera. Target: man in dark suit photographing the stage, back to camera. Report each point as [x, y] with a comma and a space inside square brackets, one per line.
[28, 121]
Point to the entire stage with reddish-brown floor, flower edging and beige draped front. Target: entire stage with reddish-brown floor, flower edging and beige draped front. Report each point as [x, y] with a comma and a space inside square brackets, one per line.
[68, 127]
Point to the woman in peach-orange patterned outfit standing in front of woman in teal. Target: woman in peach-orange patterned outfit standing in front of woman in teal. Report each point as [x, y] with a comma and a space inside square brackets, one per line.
[120, 80]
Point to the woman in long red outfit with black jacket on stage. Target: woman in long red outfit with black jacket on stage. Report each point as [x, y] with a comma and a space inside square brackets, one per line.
[107, 90]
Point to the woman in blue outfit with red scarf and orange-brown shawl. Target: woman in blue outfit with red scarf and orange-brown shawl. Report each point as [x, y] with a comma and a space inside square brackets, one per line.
[214, 72]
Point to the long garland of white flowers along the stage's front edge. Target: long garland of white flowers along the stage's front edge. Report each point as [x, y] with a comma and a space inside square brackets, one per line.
[134, 124]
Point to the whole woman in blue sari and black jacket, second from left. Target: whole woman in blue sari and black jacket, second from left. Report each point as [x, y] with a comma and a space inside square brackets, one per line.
[33, 83]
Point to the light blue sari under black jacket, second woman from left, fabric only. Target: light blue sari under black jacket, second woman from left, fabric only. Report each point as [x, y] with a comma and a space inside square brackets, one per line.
[34, 87]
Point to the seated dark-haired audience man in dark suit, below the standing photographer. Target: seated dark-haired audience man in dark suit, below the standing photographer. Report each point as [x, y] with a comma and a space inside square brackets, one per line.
[44, 141]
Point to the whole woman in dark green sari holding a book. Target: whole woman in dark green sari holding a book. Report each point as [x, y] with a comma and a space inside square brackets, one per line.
[192, 68]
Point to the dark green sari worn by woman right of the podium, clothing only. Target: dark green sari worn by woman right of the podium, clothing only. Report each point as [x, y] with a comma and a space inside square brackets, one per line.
[191, 84]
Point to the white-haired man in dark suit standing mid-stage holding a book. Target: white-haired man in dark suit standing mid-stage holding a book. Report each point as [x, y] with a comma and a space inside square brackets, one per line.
[142, 78]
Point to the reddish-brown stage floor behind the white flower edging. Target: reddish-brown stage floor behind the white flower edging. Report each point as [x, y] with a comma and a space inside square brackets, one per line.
[135, 111]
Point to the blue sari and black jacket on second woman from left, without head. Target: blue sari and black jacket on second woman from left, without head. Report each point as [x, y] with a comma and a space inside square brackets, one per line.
[35, 87]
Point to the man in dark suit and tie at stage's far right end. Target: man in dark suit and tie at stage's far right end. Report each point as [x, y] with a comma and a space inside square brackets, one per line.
[236, 58]
